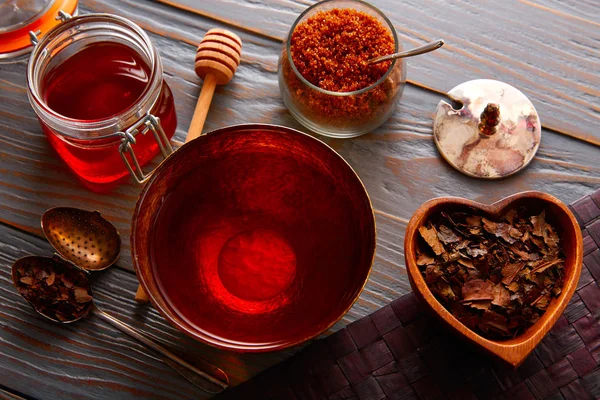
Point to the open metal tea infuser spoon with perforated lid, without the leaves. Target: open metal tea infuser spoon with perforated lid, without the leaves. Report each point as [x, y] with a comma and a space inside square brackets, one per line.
[85, 241]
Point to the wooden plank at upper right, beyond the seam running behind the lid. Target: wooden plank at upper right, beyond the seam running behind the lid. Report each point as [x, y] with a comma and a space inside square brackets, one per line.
[509, 41]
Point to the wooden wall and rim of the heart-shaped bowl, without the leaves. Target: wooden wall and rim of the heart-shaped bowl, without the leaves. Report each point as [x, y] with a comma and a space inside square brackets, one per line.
[507, 350]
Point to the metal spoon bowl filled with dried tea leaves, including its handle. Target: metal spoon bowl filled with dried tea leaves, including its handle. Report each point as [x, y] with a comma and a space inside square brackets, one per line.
[62, 293]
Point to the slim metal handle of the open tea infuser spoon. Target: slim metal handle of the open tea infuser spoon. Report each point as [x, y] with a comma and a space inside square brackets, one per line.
[198, 377]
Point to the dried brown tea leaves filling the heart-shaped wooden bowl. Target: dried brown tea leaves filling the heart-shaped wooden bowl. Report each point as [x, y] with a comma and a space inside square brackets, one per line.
[496, 277]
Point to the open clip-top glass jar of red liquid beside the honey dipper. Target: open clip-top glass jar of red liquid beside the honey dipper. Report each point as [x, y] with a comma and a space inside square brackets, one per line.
[96, 84]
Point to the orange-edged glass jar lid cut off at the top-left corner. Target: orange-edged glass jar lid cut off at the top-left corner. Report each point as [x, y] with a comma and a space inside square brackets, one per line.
[19, 17]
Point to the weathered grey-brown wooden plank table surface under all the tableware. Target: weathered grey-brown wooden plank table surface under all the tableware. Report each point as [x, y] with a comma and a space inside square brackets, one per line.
[549, 49]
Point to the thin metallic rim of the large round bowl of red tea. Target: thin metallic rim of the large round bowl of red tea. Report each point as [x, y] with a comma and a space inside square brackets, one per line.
[195, 332]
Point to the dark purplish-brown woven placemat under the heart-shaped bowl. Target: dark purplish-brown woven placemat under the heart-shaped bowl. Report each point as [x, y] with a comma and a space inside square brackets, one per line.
[398, 352]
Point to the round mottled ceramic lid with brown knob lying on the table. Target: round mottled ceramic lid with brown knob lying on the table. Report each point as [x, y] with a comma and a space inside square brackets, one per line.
[496, 132]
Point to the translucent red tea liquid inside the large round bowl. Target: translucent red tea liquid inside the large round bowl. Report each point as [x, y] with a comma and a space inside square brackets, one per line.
[254, 246]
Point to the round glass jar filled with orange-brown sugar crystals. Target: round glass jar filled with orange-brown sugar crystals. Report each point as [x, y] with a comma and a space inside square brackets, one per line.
[324, 75]
